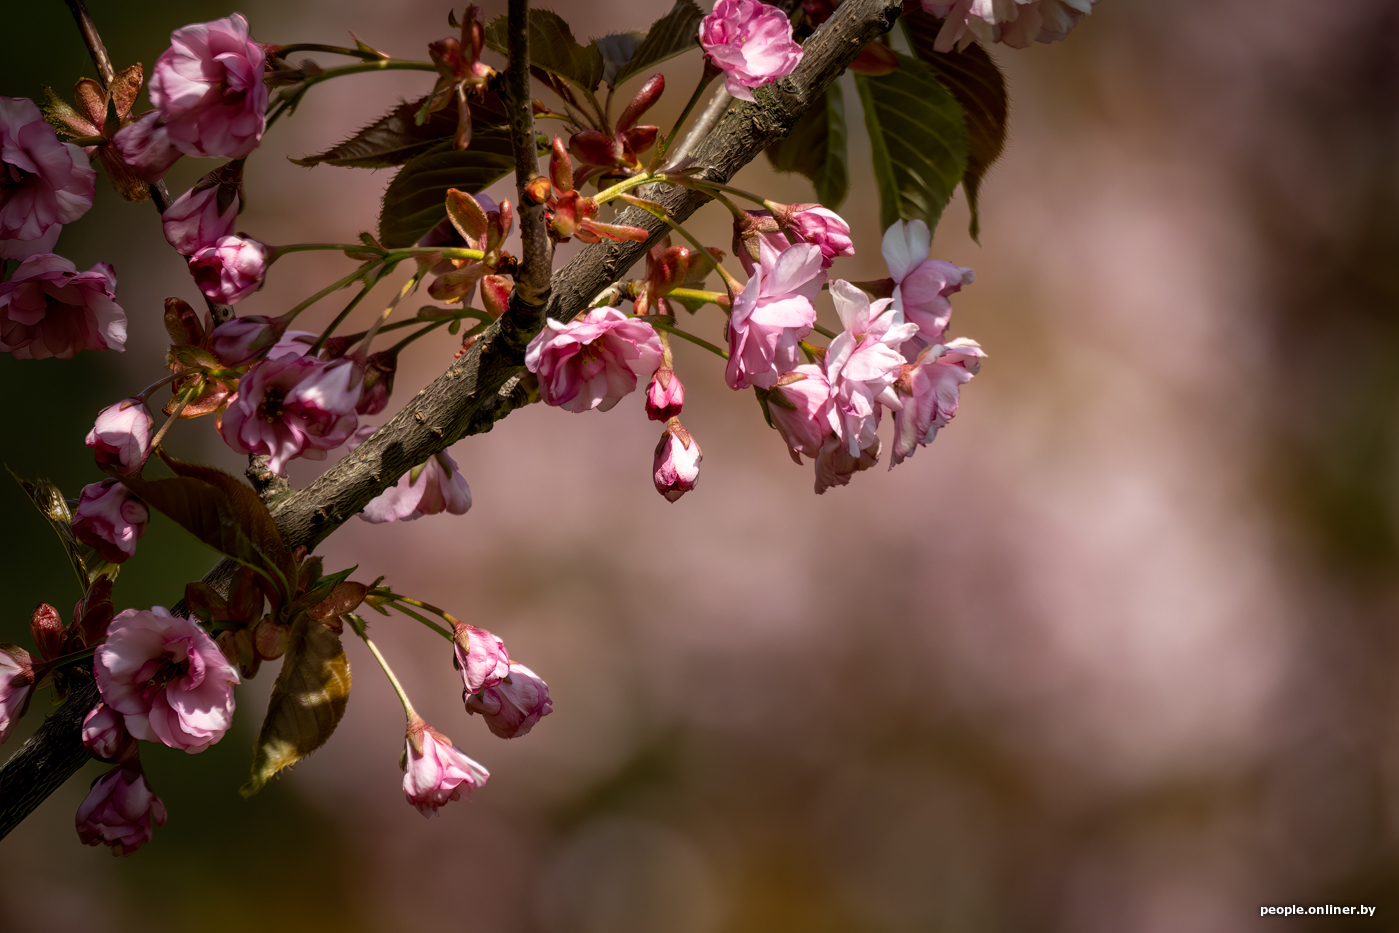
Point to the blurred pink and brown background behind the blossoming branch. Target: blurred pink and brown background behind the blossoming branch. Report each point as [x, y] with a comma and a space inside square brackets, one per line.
[1116, 654]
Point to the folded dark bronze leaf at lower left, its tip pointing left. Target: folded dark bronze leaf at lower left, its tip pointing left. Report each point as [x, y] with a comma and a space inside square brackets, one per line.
[225, 514]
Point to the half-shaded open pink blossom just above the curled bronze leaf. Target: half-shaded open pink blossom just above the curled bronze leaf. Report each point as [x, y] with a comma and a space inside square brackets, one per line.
[293, 406]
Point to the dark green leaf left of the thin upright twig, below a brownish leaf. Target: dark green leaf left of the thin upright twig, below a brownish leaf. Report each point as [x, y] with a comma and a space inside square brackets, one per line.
[416, 201]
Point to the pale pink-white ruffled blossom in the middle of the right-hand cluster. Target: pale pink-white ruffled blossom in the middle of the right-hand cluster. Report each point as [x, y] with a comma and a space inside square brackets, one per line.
[862, 364]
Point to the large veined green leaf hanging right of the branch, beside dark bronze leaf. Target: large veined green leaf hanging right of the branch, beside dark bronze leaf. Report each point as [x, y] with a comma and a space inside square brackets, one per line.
[918, 141]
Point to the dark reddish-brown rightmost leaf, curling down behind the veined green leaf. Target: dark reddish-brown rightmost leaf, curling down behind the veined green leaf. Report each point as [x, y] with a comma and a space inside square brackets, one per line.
[979, 86]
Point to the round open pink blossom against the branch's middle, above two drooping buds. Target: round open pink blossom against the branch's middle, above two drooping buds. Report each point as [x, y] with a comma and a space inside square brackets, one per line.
[594, 362]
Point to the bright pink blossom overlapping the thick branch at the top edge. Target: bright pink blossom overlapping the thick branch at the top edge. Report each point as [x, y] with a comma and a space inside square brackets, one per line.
[752, 43]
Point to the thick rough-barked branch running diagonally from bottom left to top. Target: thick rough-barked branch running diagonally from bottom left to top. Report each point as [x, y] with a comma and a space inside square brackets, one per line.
[486, 384]
